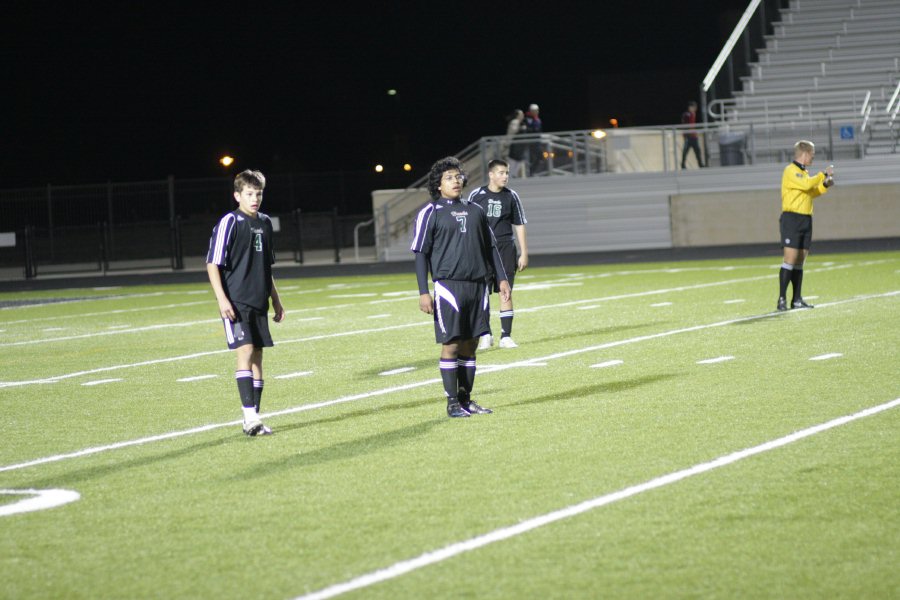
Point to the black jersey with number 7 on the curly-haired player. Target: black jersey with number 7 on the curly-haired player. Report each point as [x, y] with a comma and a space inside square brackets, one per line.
[455, 238]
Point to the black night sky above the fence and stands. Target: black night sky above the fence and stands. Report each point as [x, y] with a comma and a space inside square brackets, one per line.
[136, 91]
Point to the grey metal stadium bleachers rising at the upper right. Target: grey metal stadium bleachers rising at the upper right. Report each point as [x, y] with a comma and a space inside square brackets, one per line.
[826, 59]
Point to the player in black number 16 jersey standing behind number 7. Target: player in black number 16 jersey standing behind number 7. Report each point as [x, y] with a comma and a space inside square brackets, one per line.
[506, 218]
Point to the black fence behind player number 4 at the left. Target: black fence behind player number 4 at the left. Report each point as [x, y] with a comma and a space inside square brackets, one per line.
[157, 224]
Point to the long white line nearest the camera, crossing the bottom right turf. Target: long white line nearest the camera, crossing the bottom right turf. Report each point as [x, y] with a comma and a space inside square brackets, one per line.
[498, 535]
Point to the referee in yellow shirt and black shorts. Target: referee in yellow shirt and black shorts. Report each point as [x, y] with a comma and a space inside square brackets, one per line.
[798, 188]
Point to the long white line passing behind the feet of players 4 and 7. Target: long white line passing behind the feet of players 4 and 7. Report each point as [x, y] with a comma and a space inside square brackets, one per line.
[484, 369]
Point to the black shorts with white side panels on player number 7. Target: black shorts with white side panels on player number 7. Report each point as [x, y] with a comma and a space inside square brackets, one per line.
[461, 310]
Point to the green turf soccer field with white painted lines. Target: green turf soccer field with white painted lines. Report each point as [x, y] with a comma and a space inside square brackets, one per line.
[625, 374]
